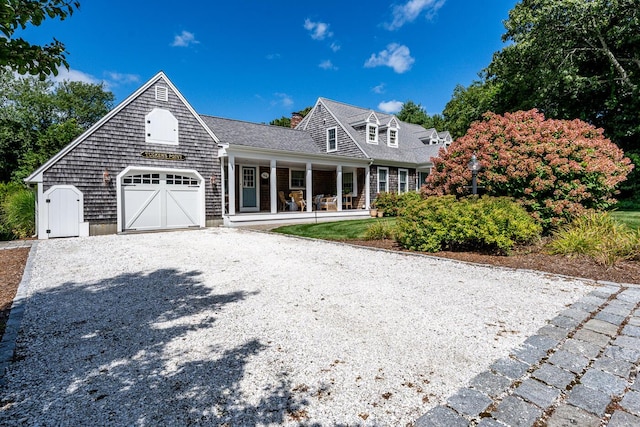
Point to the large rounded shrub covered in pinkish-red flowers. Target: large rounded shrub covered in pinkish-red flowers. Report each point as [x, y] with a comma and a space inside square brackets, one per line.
[556, 168]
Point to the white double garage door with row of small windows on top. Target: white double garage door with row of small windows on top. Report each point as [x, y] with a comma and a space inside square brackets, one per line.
[155, 201]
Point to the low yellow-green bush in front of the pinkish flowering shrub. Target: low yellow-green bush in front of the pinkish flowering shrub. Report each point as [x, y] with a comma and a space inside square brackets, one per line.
[444, 223]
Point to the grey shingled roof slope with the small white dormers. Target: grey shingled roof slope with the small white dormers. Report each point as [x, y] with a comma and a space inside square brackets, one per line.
[411, 148]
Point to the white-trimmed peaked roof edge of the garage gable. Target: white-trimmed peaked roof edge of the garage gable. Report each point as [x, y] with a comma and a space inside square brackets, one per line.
[36, 176]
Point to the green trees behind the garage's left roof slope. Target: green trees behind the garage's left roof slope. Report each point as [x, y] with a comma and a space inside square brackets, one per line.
[38, 118]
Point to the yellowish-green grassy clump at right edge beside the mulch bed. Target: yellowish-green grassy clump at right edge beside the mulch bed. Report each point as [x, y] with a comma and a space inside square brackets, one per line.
[599, 236]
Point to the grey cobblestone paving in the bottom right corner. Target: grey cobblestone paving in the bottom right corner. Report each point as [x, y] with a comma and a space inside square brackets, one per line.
[579, 369]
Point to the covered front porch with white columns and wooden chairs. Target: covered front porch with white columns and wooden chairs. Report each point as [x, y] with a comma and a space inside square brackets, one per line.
[274, 188]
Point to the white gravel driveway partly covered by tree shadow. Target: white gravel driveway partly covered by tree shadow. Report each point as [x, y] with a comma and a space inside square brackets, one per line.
[233, 327]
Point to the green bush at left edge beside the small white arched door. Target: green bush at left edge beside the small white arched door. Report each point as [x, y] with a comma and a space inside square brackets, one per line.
[17, 211]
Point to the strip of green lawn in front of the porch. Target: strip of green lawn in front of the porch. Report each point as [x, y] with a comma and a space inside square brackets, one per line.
[338, 230]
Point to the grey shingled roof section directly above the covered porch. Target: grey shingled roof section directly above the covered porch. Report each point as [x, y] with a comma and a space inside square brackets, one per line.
[255, 135]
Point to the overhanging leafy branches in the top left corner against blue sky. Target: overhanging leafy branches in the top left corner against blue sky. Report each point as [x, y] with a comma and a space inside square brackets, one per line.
[25, 57]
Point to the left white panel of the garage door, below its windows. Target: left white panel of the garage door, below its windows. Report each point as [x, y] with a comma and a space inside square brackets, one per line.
[142, 208]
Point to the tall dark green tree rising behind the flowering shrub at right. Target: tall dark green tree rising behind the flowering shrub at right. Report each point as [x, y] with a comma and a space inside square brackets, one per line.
[573, 59]
